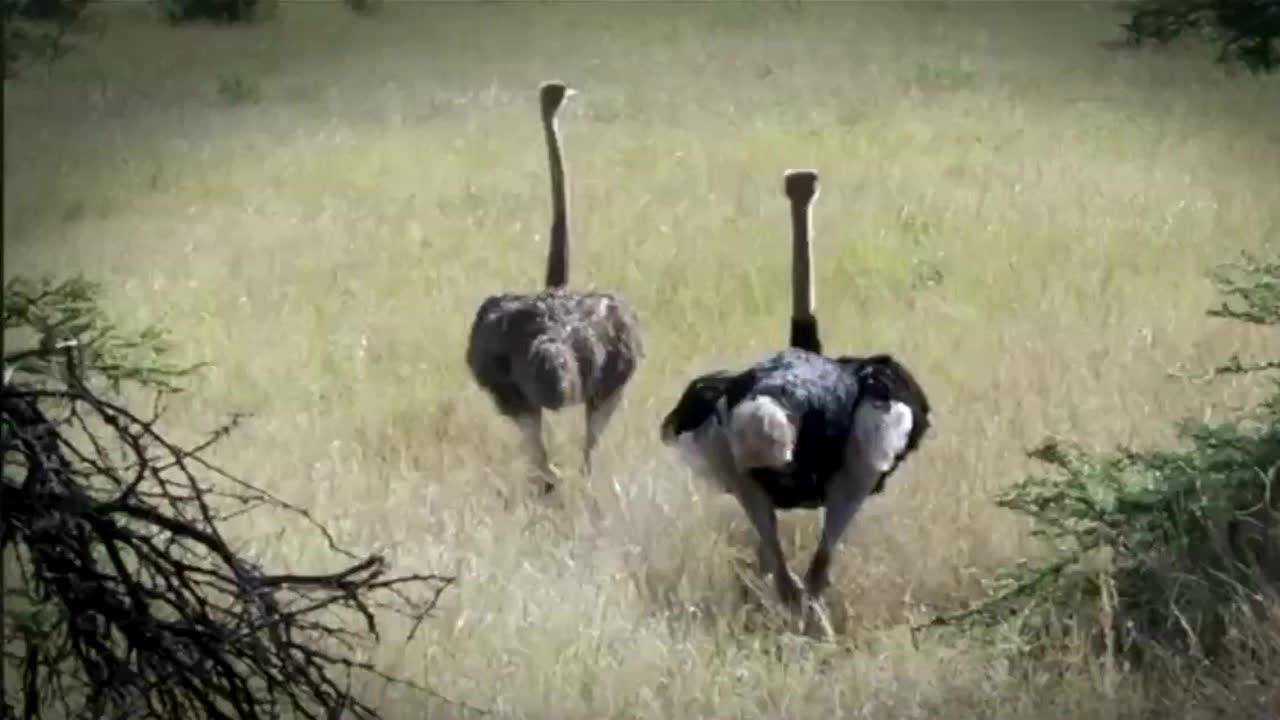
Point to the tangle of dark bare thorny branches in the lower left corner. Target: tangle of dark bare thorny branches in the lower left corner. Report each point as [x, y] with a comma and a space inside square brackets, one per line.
[135, 605]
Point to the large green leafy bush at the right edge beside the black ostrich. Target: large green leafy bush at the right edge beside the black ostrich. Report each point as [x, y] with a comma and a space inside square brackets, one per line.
[1155, 552]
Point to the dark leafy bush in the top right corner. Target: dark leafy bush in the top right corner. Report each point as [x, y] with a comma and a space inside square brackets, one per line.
[1247, 30]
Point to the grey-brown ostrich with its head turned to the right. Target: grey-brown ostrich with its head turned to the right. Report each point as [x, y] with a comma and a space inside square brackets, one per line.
[560, 348]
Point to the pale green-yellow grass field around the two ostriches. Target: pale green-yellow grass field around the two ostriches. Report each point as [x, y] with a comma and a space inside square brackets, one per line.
[1023, 217]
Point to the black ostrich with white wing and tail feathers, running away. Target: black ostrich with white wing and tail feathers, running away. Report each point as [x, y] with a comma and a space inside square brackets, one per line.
[801, 430]
